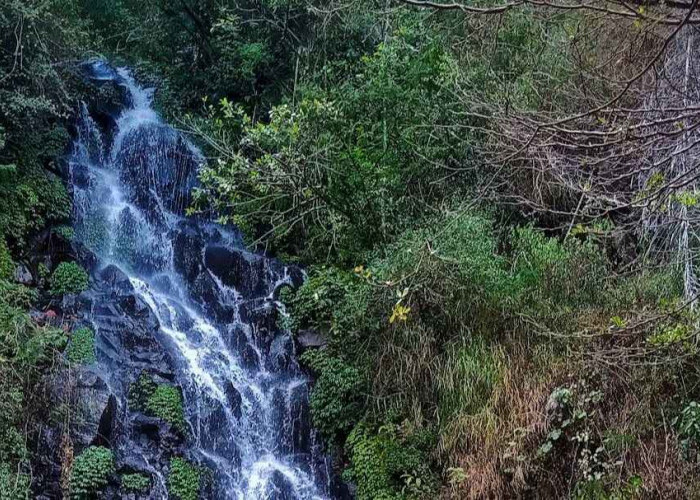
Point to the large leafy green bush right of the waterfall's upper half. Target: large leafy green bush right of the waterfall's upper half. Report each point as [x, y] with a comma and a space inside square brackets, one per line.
[357, 191]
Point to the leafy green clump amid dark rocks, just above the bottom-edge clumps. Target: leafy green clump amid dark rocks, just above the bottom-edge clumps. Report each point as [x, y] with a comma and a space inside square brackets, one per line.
[158, 400]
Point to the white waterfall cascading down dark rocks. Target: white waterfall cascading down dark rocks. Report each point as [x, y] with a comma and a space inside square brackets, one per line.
[246, 401]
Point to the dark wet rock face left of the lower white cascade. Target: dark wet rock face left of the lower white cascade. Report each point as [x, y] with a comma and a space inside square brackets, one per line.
[97, 395]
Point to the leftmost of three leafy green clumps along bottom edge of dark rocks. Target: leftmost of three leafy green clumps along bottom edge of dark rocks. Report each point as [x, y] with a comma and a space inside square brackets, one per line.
[90, 472]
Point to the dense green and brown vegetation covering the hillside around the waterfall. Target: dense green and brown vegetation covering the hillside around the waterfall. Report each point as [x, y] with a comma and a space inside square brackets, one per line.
[495, 207]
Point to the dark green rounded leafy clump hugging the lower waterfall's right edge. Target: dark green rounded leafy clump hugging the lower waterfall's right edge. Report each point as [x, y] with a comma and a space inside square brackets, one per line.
[336, 398]
